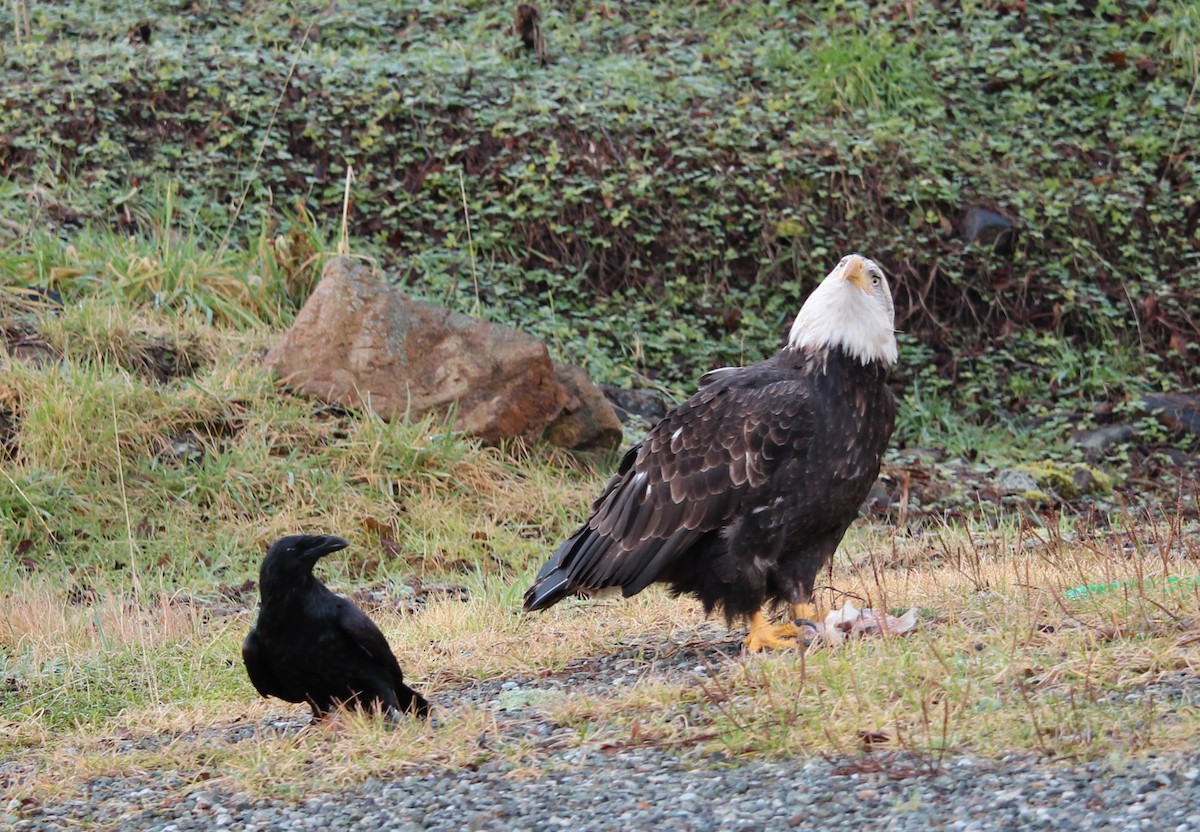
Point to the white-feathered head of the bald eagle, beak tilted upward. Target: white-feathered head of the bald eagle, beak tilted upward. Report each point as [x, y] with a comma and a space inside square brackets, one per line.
[851, 309]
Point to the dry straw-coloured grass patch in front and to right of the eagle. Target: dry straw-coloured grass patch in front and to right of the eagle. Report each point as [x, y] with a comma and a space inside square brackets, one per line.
[1003, 662]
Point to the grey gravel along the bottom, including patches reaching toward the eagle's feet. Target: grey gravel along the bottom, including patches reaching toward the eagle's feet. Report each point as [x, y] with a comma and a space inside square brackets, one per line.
[590, 788]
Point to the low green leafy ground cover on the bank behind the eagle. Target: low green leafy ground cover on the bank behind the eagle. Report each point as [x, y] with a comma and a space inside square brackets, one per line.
[718, 158]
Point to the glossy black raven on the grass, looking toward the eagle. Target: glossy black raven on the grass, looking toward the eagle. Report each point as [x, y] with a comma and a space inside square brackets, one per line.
[313, 647]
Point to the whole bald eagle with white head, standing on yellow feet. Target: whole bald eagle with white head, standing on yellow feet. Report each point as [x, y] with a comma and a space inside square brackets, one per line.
[741, 495]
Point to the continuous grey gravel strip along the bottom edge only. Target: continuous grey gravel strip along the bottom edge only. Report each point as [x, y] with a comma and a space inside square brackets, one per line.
[649, 789]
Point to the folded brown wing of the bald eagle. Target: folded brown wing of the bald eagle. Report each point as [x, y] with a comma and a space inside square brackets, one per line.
[706, 464]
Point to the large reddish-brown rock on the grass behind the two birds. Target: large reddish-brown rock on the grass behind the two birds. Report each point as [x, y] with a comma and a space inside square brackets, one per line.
[359, 343]
